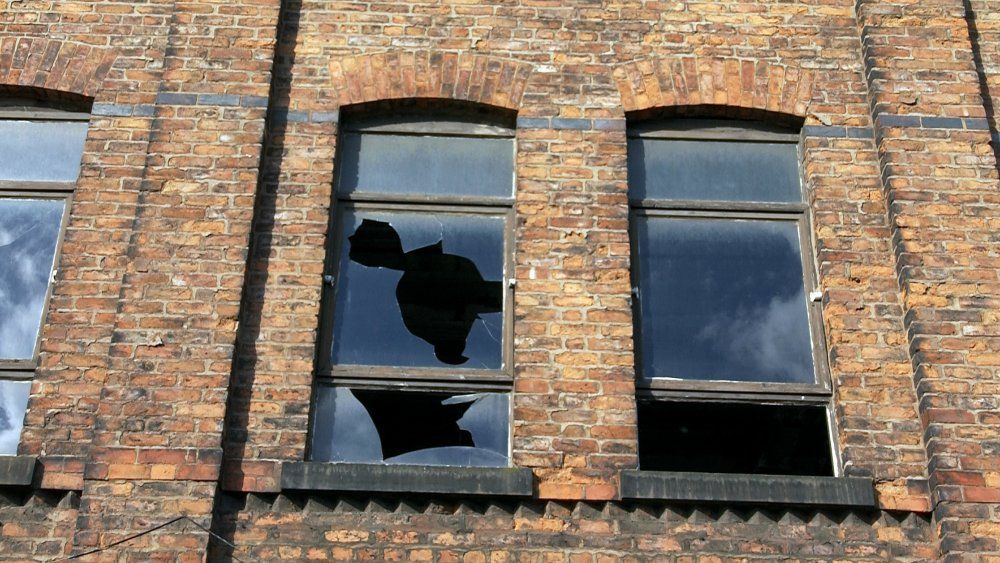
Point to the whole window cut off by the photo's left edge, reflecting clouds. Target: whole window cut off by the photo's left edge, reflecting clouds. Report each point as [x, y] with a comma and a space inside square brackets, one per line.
[40, 152]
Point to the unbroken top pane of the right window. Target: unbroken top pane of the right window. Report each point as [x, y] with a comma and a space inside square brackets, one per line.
[713, 170]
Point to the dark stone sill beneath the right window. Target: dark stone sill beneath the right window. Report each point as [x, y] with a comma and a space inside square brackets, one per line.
[749, 489]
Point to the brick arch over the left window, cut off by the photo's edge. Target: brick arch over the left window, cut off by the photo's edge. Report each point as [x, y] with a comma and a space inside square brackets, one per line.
[45, 66]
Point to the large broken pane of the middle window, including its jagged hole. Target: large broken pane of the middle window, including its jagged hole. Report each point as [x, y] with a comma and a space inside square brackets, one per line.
[419, 290]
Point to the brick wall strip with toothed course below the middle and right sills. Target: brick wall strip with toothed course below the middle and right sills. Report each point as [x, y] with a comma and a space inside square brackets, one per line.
[279, 528]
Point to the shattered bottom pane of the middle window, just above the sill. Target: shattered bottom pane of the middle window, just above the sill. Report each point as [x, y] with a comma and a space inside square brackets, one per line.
[407, 427]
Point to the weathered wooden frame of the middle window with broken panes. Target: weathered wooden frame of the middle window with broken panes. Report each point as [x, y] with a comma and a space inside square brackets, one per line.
[448, 379]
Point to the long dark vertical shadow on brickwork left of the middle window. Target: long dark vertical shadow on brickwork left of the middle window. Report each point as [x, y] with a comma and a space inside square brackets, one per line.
[235, 434]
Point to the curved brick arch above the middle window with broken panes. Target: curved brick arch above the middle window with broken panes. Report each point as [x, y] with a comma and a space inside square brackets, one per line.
[469, 77]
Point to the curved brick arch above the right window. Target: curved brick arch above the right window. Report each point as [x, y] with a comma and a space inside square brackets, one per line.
[736, 83]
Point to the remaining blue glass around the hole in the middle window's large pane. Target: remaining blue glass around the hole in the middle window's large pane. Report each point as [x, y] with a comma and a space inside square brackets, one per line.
[369, 327]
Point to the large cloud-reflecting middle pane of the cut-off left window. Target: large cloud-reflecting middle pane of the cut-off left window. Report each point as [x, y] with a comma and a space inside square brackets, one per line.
[29, 231]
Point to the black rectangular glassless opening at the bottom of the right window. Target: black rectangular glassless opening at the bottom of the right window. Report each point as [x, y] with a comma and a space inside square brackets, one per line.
[734, 438]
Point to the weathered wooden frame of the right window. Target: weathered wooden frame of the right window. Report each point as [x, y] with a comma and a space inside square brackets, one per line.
[653, 389]
